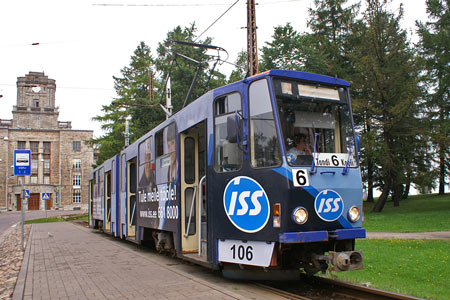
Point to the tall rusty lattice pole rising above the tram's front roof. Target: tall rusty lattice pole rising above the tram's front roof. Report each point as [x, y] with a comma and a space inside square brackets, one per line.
[252, 48]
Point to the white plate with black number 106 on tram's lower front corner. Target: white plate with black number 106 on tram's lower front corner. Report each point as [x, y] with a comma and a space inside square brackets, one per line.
[246, 252]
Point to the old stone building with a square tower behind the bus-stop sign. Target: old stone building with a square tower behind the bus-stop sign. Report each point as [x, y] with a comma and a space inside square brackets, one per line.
[60, 159]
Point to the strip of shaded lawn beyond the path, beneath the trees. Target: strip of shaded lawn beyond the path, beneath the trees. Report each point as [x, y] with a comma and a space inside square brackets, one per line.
[421, 213]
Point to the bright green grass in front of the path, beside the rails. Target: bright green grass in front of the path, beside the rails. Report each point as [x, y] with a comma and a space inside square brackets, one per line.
[412, 267]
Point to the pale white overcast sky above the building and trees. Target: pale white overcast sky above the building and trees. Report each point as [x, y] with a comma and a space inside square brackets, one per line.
[83, 44]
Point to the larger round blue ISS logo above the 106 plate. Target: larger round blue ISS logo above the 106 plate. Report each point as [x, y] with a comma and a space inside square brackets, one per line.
[246, 204]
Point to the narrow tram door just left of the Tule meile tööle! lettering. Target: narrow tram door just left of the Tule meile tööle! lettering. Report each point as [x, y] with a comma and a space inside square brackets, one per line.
[131, 197]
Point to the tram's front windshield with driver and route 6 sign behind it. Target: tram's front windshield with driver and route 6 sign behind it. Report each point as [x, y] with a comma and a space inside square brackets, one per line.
[315, 122]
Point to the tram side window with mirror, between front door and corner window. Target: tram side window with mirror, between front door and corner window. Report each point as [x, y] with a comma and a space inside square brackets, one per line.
[228, 156]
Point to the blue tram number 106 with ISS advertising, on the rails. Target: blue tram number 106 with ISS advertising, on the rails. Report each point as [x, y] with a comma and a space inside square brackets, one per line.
[257, 177]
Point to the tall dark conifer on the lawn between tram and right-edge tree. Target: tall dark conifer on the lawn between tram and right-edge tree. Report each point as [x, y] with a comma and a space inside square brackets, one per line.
[387, 91]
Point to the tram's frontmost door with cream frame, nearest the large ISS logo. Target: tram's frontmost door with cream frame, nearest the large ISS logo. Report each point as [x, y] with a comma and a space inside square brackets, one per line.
[192, 160]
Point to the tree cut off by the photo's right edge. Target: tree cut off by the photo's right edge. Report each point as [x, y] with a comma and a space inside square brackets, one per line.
[435, 49]
